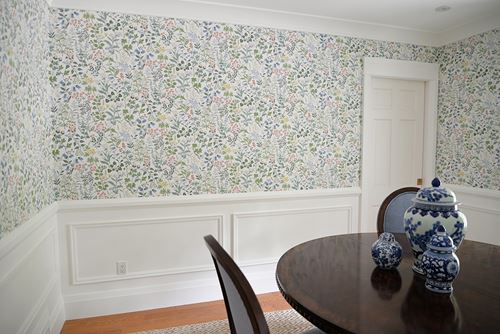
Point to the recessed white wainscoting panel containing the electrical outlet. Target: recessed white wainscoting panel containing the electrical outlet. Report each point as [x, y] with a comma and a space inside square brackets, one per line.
[150, 247]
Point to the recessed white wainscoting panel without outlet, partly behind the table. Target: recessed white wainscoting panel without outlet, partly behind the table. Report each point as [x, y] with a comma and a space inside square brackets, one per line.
[262, 237]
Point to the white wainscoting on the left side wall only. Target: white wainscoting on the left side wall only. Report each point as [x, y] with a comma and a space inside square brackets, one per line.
[30, 289]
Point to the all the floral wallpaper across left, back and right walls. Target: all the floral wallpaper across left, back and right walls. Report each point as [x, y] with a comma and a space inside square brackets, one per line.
[149, 106]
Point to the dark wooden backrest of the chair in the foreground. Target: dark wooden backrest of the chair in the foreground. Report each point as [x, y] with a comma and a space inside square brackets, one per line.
[243, 309]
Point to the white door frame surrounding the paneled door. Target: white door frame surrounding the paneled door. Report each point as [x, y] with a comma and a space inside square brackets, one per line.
[403, 70]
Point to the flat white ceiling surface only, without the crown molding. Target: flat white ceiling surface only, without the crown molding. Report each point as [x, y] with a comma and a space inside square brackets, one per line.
[407, 14]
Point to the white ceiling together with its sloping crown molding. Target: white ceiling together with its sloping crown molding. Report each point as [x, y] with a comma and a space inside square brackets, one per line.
[413, 21]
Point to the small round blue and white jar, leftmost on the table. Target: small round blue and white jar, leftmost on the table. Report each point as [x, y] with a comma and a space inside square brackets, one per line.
[386, 251]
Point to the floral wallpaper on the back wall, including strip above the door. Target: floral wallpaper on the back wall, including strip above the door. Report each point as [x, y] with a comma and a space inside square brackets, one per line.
[150, 106]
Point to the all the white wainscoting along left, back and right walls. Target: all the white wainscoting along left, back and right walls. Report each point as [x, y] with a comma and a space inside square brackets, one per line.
[62, 263]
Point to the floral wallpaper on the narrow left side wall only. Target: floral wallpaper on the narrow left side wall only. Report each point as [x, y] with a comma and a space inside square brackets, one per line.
[26, 183]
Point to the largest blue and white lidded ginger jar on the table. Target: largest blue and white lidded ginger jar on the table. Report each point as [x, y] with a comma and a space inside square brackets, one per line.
[433, 206]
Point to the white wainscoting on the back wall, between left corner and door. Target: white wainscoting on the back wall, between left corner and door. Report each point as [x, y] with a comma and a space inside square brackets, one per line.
[161, 240]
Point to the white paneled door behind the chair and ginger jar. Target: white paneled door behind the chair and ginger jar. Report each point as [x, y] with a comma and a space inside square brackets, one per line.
[392, 142]
